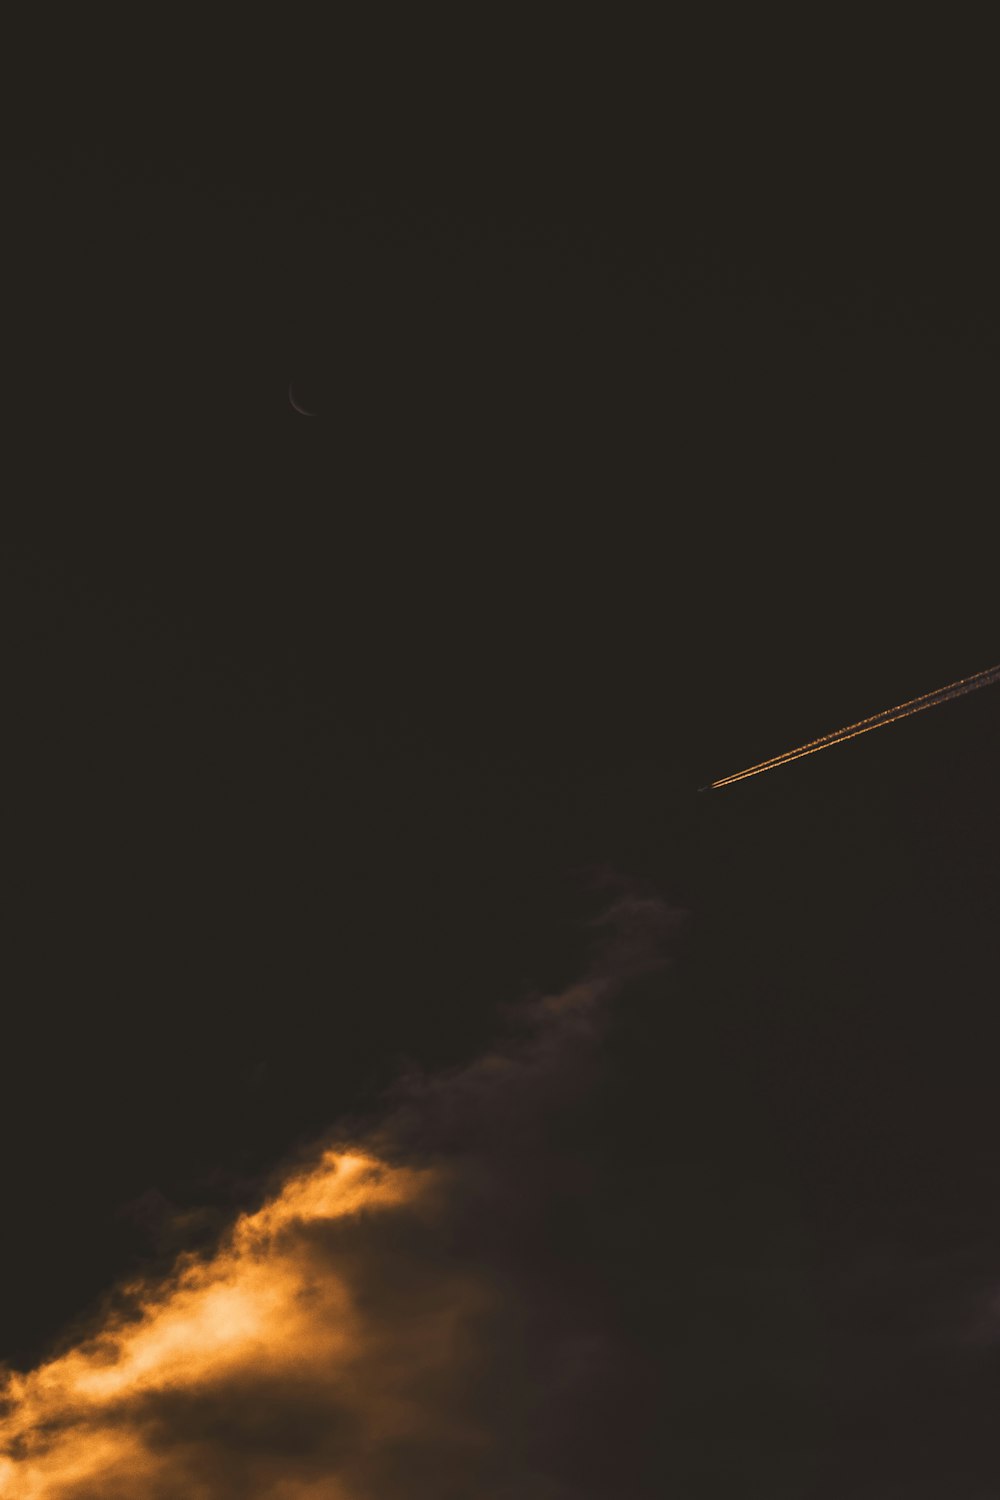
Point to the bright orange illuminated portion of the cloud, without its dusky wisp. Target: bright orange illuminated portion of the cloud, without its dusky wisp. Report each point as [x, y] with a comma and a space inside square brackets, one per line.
[272, 1309]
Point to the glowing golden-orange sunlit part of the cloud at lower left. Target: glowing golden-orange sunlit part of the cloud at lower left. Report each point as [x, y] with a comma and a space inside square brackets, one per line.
[268, 1301]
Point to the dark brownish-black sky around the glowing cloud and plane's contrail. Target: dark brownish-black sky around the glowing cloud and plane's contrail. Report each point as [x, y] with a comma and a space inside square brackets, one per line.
[656, 434]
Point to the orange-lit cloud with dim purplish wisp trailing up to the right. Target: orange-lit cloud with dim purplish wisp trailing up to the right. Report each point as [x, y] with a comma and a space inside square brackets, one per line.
[422, 1307]
